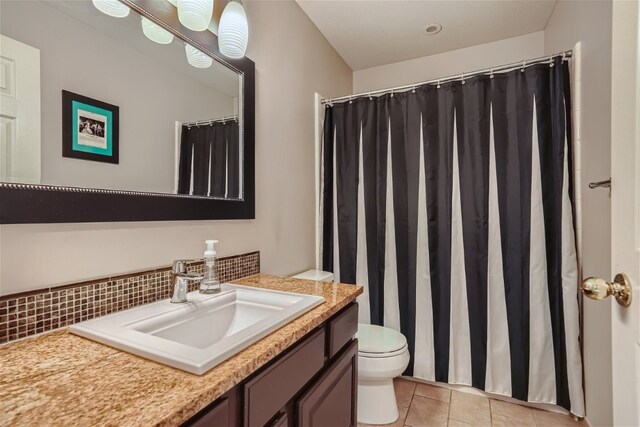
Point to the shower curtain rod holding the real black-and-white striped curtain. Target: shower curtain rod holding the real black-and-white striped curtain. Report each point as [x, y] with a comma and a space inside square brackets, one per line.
[548, 59]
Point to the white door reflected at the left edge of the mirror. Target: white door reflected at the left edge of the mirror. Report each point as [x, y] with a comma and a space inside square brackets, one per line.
[19, 112]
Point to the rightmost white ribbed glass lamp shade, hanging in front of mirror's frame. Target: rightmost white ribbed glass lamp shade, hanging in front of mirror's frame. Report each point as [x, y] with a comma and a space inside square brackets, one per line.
[233, 31]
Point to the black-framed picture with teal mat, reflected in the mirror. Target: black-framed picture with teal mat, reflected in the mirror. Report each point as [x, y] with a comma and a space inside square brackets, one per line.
[89, 128]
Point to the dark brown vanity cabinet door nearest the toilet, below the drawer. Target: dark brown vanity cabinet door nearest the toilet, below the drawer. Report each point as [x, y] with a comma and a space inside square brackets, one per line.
[332, 399]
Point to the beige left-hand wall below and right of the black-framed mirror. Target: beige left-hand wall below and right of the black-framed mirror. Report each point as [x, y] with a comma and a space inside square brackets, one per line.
[293, 60]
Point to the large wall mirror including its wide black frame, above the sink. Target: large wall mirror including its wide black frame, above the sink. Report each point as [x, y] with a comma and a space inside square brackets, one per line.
[96, 187]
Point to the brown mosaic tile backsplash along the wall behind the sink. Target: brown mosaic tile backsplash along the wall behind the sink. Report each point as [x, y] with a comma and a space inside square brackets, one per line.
[42, 310]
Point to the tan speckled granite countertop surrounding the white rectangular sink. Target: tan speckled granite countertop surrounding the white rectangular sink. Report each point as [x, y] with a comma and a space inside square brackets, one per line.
[62, 379]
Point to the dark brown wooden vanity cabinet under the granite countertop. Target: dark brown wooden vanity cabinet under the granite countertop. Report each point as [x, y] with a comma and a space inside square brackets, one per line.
[313, 383]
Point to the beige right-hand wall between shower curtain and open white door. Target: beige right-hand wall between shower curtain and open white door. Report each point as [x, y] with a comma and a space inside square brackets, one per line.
[590, 23]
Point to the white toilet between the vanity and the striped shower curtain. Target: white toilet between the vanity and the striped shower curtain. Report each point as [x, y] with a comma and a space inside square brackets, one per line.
[382, 355]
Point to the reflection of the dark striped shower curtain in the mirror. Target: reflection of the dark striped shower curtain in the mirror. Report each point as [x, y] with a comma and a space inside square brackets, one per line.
[209, 160]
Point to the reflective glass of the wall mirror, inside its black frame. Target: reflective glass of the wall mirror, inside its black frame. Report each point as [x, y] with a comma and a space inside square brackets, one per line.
[91, 101]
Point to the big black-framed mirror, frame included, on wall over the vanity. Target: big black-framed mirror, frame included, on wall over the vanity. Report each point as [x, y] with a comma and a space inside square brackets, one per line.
[23, 200]
